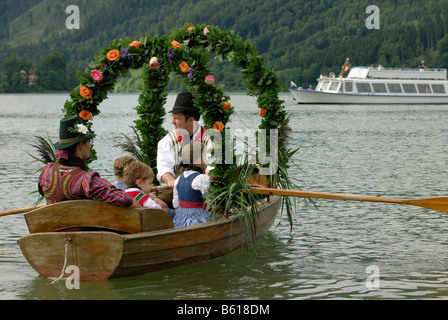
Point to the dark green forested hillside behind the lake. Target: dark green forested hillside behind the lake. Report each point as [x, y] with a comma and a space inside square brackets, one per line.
[299, 39]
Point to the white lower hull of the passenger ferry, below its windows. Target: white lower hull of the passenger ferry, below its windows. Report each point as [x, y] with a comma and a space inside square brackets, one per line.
[317, 97]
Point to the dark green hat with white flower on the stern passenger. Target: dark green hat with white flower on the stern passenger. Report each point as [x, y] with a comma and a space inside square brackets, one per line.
[71, 131]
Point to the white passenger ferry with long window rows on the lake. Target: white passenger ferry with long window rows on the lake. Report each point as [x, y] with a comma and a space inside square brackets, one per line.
[368, 85]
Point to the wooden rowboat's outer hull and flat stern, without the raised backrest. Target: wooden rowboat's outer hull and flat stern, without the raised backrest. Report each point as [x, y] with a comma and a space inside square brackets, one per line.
[101, 255]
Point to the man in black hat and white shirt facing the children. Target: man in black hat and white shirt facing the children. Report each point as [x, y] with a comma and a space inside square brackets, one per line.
[186, 130]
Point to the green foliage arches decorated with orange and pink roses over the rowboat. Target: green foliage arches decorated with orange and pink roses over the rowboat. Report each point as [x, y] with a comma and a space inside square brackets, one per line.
[184, 52]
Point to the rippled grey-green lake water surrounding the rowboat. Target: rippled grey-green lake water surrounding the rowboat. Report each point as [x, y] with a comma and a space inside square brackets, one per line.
[389, 151]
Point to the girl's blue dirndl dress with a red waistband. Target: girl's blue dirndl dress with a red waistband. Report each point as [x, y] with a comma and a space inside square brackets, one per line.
[191, 203]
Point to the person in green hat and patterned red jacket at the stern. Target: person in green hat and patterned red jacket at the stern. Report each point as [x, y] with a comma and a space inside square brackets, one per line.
[67, 178]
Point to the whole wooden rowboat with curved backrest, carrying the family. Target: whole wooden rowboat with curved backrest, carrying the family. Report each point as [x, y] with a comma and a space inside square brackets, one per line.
[105, 241]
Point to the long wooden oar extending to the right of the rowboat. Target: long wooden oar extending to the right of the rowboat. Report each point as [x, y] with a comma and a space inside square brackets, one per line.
[437, 204]
